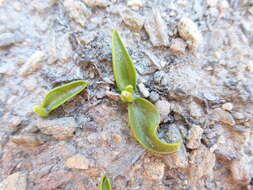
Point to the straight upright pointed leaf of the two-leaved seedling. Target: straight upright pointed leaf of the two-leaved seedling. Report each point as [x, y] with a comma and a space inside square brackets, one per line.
[123, 67]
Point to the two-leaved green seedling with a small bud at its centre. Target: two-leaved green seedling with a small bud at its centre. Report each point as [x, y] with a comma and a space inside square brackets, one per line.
[143, 116]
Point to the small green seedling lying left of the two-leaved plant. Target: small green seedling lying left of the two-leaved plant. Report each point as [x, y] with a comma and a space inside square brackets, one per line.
[58, 96]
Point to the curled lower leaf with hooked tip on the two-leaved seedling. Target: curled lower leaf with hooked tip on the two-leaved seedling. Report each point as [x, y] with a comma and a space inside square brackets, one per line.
[144, 120]
